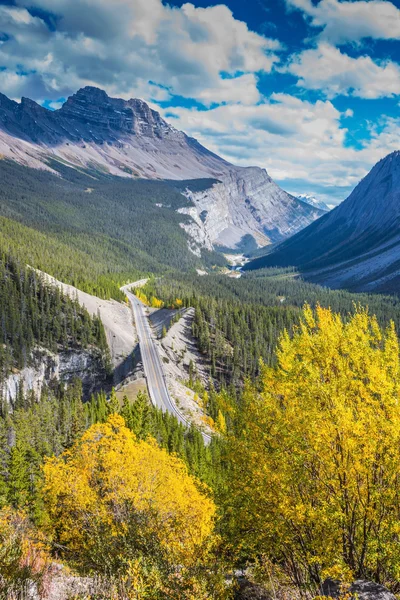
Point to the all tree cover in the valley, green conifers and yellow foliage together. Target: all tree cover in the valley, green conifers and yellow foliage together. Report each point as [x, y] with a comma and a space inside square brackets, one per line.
[62, 459]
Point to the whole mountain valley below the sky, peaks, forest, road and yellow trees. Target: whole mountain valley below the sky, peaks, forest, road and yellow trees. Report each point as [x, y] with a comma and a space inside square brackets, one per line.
[199, 372]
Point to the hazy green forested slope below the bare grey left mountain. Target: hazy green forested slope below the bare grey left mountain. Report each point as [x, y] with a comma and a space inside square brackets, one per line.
[92, 230]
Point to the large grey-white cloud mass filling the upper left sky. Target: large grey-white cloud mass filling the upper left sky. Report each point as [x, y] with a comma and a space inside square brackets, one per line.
[133, 48]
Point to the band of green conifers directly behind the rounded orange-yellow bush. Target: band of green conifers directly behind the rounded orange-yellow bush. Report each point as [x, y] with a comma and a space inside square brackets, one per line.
[46, 426]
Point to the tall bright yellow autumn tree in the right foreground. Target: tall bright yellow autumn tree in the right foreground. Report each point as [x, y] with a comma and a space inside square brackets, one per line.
[315, 466]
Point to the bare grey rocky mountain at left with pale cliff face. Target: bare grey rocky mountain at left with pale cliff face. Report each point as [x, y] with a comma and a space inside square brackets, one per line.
[127, 138]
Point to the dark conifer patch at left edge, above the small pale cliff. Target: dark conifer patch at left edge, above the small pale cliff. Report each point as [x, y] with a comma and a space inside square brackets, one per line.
[35, 315]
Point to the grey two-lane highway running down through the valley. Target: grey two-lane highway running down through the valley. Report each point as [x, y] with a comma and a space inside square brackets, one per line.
[152, 365]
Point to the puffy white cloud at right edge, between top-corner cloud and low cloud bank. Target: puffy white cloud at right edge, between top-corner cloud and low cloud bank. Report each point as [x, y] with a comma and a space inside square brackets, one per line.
[326, 68]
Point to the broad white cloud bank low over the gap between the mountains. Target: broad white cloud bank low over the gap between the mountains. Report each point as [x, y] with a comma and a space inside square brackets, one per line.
[296, 140]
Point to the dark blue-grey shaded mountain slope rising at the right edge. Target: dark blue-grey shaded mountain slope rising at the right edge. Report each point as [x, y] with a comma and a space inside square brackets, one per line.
[355, 246]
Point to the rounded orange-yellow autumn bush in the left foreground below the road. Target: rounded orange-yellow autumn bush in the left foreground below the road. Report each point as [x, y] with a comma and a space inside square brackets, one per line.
[128, 508]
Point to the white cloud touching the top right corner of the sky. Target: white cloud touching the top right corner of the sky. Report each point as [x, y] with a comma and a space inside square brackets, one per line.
[346, 21]
